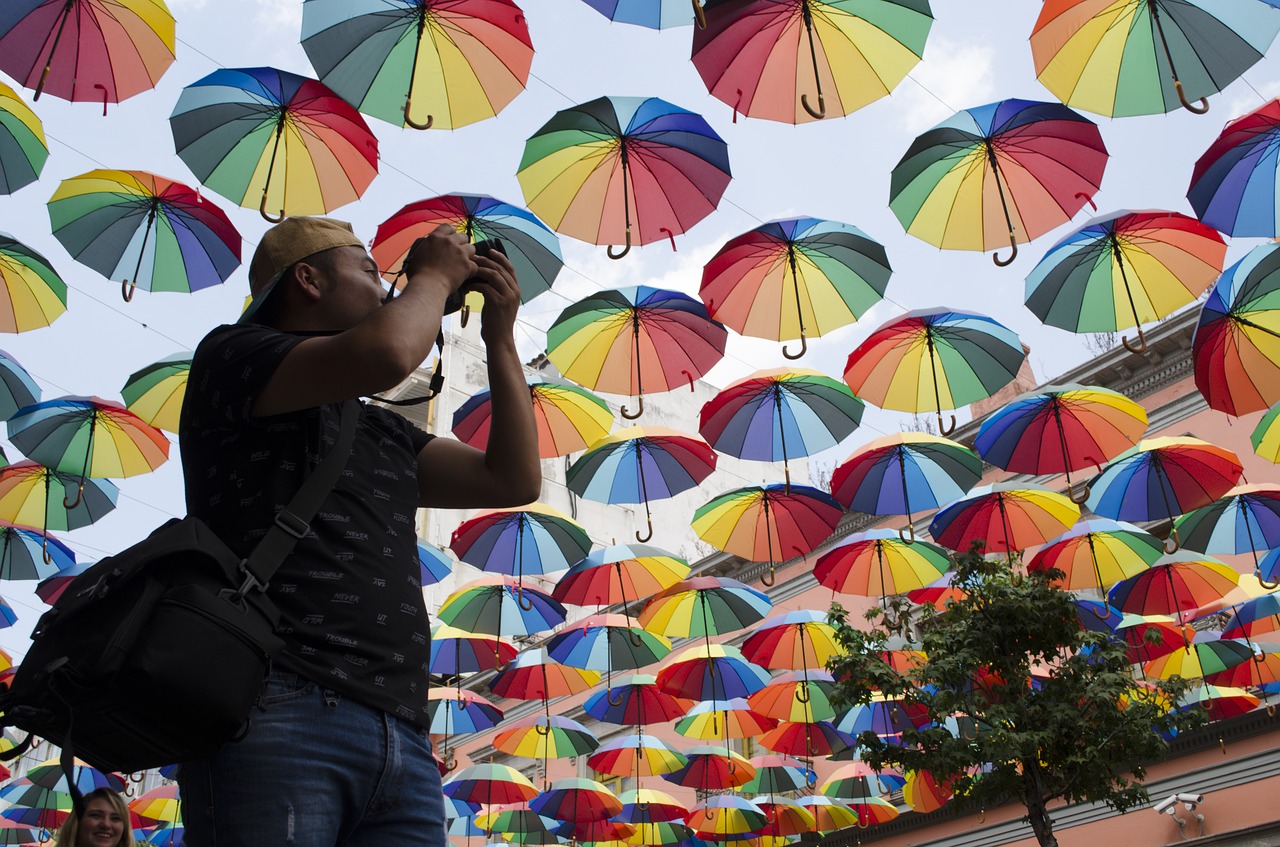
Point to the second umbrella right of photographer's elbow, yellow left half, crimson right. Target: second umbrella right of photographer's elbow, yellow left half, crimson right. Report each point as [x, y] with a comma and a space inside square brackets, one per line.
[770, 523]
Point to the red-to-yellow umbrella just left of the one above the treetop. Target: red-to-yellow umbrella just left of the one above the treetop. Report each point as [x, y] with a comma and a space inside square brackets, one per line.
[879, 562]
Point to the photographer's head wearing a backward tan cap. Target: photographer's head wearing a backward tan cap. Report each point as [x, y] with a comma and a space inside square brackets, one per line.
[312, 274]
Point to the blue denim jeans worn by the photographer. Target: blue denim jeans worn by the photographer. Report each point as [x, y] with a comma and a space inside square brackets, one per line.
[317, 770]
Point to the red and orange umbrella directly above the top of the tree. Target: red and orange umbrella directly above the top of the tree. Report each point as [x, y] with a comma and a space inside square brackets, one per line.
[1007, 518]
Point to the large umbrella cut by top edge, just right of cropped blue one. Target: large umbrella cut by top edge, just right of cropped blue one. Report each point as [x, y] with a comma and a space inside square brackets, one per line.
[781, 61]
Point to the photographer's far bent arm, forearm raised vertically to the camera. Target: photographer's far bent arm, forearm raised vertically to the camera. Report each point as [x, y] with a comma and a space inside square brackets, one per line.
[508, 473]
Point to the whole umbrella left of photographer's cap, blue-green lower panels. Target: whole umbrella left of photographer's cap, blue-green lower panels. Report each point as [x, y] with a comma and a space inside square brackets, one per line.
[145, 231]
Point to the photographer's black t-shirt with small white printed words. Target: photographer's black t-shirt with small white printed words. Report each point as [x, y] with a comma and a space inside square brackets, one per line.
[350, 596]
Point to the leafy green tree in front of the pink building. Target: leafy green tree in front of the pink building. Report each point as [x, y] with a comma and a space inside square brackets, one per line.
[1048, 709]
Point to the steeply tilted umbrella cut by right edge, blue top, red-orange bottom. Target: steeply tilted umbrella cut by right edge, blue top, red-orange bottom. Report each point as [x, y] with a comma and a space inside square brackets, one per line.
[1237, 342]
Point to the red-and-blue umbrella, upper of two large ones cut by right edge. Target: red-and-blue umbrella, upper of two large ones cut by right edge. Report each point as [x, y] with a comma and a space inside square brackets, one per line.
[1233, 185]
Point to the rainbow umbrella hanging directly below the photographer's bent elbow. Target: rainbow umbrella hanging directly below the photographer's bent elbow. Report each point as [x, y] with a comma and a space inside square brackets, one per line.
[534, 539]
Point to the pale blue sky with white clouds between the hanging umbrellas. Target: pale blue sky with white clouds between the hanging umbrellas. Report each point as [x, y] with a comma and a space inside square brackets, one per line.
[839, 170]
